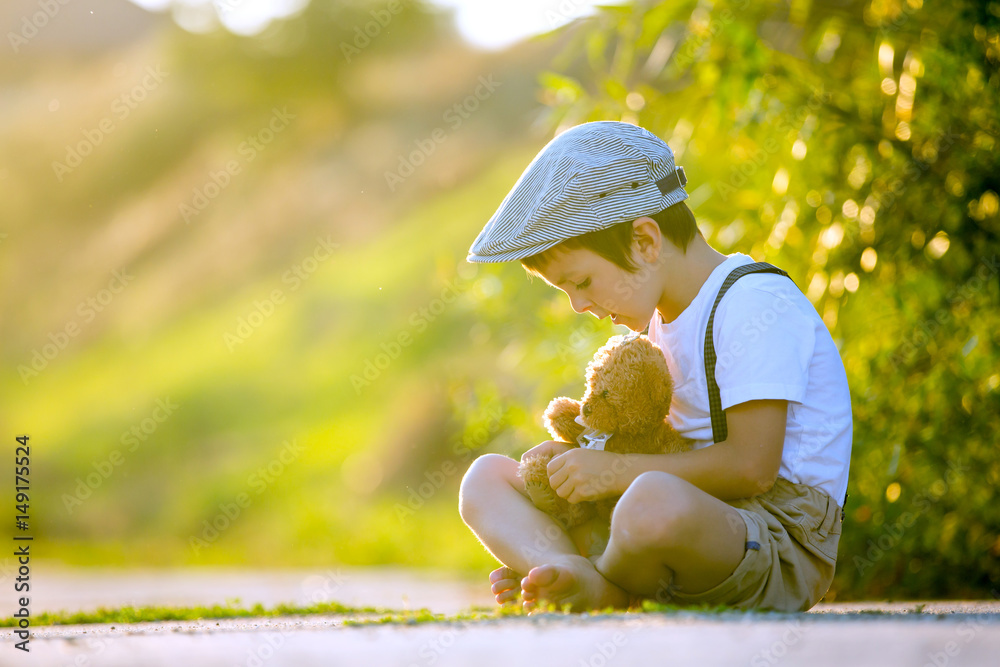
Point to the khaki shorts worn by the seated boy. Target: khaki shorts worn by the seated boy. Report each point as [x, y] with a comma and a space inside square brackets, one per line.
[793, 531]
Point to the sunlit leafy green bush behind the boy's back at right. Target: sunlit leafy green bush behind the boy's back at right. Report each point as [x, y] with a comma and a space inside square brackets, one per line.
[855, 145]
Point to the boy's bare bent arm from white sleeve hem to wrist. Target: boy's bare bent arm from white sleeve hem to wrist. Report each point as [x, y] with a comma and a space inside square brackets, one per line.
[743, 465]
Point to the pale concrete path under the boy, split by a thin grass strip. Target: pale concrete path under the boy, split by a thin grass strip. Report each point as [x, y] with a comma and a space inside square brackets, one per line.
[942, 634]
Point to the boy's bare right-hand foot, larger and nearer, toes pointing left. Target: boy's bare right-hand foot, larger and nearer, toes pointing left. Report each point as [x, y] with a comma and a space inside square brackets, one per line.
[573, 580]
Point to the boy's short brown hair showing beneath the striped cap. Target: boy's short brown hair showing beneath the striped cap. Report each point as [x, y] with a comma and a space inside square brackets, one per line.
[614, 243]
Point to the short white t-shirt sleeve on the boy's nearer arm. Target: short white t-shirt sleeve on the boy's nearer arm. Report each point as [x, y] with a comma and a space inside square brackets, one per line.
[763, 344]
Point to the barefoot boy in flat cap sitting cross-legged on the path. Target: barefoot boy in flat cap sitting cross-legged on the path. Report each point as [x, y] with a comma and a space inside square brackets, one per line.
[751, 516]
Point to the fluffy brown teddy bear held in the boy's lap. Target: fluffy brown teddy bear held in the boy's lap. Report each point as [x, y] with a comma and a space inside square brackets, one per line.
[623, 410]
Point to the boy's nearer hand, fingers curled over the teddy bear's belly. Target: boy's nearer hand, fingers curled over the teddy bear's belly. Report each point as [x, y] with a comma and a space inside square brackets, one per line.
[586, 474]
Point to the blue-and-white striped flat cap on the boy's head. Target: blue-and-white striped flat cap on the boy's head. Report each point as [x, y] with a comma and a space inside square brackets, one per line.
[590, 177]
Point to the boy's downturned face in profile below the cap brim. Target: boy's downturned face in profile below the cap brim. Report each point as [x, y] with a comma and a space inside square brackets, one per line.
[602, 288]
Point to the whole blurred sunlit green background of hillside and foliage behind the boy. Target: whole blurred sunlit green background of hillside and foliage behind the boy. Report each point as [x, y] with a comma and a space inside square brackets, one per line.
[236, 317]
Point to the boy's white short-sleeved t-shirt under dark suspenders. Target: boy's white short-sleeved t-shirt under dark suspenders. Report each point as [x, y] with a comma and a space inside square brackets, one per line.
[770, 343]
